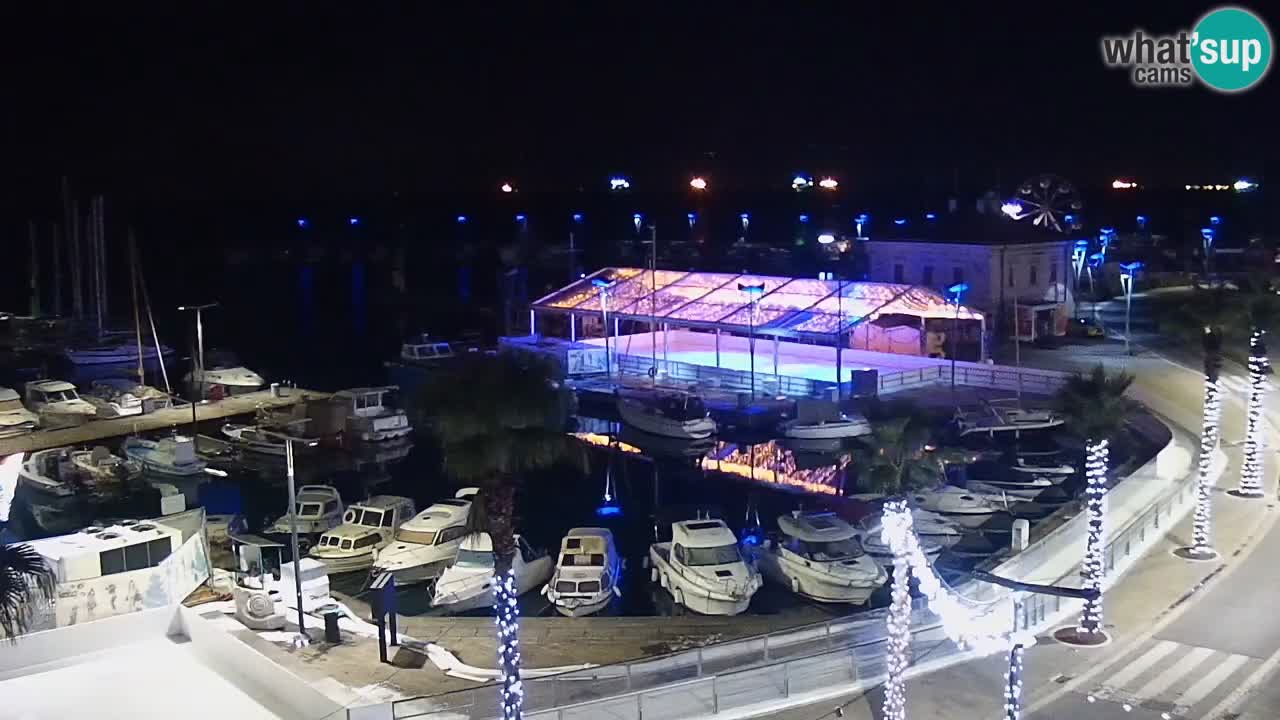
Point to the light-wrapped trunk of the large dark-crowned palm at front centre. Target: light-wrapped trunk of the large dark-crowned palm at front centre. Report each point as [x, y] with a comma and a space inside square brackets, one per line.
[506, 612]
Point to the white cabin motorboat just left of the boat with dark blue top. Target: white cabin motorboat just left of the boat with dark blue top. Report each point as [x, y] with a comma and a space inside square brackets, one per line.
[703, 569]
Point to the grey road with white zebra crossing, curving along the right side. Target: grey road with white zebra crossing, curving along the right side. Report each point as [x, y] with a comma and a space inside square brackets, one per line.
[1191, 641]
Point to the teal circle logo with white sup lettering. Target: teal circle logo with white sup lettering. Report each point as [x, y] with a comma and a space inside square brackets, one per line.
[1231, 49]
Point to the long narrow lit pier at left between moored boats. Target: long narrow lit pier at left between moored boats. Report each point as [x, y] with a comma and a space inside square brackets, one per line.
[158, 421]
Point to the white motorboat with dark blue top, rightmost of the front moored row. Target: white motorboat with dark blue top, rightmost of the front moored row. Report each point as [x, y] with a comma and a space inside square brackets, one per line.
[819, 555]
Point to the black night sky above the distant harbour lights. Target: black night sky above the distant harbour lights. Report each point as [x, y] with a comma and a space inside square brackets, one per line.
[419, 97]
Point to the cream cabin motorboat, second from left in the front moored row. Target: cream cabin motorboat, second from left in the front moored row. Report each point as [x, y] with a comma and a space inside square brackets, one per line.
[367, 527]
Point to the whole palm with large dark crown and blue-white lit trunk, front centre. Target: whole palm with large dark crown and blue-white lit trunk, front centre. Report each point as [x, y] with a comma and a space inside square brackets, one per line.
[500, 420]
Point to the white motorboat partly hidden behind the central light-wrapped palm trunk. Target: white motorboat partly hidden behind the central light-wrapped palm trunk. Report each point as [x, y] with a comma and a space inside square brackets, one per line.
[468, 585]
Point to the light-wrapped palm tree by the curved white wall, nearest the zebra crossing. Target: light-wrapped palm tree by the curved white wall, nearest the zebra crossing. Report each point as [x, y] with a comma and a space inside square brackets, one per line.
[1096, 409]
